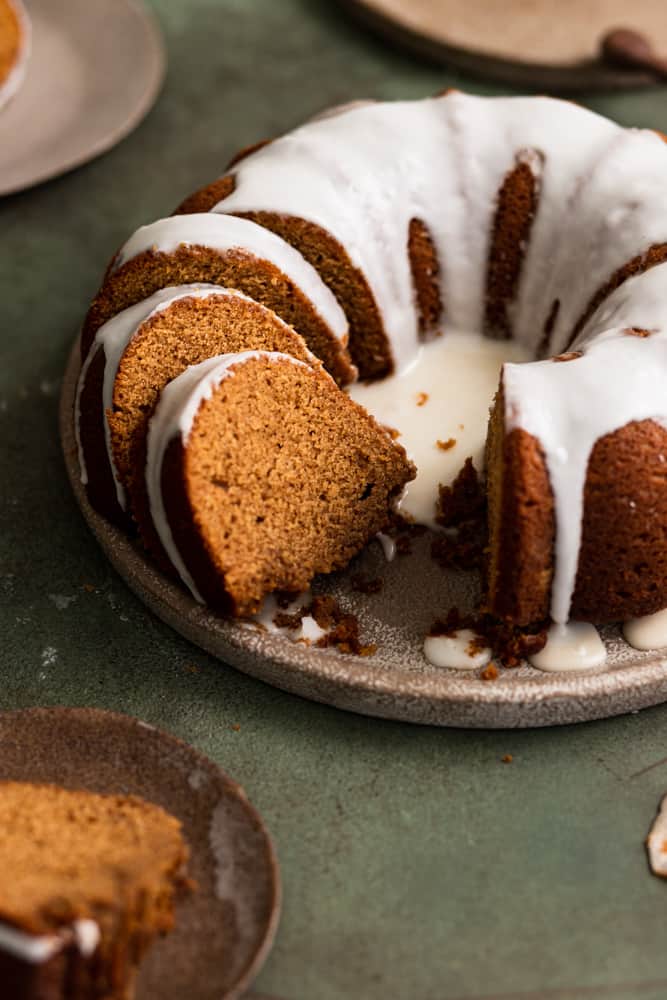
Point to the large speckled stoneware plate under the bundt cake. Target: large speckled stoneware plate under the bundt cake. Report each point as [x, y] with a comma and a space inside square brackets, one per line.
[396, 682]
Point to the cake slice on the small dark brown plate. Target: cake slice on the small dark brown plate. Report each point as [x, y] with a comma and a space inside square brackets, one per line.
[88, 882]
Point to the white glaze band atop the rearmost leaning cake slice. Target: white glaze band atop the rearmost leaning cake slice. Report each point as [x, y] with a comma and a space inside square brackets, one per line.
[230, 233]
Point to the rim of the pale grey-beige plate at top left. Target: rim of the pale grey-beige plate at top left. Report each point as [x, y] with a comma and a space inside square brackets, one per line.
[156, 69]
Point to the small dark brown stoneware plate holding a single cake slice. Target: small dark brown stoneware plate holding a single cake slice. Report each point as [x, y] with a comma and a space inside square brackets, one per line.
[224, 931]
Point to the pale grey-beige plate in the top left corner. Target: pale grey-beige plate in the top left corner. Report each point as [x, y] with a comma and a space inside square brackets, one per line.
[95, 70]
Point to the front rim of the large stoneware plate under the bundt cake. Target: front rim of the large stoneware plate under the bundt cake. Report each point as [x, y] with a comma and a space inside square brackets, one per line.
[554, 699]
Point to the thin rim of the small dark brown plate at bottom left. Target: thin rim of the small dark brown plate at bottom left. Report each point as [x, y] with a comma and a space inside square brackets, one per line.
[101, 716]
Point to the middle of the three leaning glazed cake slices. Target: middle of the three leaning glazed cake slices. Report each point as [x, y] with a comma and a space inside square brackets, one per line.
[133, 357]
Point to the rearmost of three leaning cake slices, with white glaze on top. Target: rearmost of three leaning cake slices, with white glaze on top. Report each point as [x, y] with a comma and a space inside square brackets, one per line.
[233, 252]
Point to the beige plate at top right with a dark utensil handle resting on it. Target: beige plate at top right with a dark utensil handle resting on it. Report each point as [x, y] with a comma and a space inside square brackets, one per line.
[530, 43]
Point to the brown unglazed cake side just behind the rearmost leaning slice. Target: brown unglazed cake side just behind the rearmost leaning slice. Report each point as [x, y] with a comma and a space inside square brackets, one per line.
[369, 345]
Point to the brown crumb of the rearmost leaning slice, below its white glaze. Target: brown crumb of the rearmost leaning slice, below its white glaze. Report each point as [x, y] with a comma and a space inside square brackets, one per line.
[151, 270]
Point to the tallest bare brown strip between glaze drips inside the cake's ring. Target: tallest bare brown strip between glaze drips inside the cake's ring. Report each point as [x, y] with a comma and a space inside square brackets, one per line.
[515, 211]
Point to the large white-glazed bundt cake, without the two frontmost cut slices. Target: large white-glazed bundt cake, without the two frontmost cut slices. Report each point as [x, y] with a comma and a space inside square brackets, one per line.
[523, 219]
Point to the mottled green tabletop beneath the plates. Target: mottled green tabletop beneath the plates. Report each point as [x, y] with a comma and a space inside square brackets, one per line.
[416, 864]
